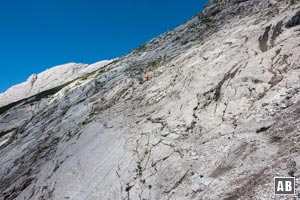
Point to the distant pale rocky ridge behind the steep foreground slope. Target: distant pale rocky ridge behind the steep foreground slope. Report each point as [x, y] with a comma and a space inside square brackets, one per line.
[48, 79]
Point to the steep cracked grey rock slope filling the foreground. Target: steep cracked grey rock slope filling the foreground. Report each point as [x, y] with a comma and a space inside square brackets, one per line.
[219, 118]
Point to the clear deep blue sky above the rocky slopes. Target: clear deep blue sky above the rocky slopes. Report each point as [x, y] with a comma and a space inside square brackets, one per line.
[38, 34]
